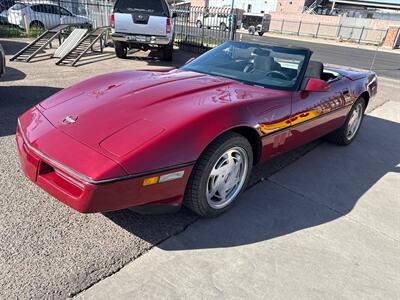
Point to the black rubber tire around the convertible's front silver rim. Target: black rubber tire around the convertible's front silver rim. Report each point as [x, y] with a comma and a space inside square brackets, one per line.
[195, 194]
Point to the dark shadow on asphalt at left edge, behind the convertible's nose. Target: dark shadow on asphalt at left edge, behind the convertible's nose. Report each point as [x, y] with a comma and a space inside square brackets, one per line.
[14, 100]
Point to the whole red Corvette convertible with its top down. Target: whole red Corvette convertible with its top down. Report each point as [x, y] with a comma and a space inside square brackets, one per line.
[189, 135]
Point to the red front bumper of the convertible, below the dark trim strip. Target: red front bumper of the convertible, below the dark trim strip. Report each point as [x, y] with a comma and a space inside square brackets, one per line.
[86, 197]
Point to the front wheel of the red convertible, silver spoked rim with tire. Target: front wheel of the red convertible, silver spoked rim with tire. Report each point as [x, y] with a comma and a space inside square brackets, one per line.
[219, 176]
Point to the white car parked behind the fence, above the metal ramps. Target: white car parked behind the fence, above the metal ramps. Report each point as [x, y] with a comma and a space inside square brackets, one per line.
[43, 15]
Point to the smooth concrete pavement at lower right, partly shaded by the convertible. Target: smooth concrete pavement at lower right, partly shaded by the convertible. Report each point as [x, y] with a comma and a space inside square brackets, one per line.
[325, 227]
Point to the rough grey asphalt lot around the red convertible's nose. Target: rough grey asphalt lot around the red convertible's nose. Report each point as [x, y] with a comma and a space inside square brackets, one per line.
[47, 250]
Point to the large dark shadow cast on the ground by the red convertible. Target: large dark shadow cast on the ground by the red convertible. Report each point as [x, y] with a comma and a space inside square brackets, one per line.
[267, 210]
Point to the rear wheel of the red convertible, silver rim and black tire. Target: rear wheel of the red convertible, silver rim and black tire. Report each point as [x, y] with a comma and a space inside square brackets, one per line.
[347, 133]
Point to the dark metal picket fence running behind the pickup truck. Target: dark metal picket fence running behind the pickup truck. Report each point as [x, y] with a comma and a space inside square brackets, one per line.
[200, 27]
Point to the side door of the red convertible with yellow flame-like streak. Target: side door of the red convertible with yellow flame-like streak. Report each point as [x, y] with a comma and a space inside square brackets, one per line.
[315, 114]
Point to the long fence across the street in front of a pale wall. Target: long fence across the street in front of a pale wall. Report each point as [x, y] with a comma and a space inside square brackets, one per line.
[330, 31]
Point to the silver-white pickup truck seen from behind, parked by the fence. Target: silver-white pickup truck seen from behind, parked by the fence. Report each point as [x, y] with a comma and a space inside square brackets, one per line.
[142, 24]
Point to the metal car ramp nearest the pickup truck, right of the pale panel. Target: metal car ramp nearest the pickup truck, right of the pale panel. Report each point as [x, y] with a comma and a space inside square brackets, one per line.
[84, 45]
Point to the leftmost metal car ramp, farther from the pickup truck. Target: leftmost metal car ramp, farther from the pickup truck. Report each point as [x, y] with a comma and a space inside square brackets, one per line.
[29, 52]
